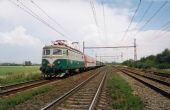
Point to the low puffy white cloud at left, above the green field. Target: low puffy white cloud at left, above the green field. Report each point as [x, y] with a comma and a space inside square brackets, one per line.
[18, 36]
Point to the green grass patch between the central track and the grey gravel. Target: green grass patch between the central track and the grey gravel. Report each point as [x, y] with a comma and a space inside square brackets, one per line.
[122, 94]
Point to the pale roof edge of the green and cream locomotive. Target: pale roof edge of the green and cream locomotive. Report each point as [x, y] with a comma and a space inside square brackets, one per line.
[61, 46]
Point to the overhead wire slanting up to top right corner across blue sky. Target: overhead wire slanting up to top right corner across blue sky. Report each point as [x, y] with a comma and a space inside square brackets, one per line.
[154, 15]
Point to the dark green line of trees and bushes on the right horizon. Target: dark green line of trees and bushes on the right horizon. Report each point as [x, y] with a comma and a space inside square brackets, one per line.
[161, 61]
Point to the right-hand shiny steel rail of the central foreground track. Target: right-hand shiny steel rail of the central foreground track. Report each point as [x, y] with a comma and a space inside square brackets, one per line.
[94, 101]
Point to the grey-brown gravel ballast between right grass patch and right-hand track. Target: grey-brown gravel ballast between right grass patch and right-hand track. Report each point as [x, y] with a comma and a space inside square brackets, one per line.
[152, 100]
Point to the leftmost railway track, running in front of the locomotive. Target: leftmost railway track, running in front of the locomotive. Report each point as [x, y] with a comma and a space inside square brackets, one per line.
[12, 89]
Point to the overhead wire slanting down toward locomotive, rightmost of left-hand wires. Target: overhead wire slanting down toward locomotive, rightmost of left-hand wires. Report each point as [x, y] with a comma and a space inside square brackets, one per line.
[49, 17]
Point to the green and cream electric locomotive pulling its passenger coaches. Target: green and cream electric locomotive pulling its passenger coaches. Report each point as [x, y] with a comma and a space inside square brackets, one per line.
[60, 59]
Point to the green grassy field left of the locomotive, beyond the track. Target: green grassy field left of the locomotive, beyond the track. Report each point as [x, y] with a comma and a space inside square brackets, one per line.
[17, 74]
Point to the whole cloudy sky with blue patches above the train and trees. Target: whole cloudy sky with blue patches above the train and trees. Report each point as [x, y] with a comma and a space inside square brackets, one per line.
[23, 34]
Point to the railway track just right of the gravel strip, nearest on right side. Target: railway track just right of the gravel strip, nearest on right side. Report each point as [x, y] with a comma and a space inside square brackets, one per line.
[163, 89]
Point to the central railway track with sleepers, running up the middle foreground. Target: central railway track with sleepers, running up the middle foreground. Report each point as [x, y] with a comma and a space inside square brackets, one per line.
[83, 96]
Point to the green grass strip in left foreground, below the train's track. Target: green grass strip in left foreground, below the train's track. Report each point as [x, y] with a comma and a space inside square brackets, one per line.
[8, 103]
